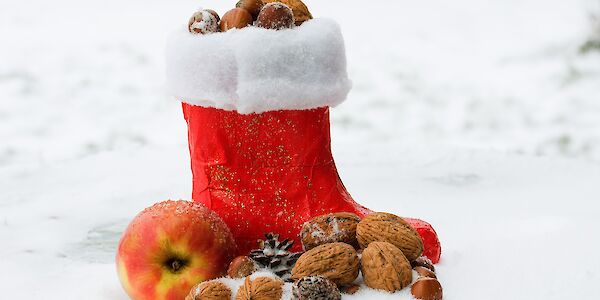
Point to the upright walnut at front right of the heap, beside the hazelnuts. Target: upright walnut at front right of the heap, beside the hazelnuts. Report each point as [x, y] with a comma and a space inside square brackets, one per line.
[385, 267]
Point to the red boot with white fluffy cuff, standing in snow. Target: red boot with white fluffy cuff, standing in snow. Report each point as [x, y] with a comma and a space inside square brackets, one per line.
[258, 127]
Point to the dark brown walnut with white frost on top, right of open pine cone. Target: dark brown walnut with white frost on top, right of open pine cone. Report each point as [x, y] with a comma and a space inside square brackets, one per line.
[331, 228]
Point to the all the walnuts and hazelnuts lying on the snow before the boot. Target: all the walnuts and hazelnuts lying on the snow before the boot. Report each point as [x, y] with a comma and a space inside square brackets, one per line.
[339, 246]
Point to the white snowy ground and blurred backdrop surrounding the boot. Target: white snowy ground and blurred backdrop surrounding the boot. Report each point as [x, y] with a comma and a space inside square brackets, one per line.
[482, 117]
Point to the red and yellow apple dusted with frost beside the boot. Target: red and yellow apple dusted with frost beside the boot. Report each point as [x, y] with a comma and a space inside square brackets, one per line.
[170, 247]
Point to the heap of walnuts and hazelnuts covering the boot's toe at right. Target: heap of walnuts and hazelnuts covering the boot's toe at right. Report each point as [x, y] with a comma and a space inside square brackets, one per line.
[390, 248]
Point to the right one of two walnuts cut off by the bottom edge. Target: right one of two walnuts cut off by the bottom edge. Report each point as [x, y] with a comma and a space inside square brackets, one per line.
[261, 288]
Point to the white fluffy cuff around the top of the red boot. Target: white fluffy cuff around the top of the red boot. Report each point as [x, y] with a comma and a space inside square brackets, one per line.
[254, 70]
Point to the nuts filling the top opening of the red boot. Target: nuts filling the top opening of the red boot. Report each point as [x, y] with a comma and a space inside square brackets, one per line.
[269, 14]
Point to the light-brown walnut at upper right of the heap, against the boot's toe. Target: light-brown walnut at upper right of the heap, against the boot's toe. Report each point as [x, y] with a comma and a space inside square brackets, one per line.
[385, 227]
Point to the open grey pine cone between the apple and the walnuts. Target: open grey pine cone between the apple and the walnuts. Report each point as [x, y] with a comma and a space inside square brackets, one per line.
[274, 256]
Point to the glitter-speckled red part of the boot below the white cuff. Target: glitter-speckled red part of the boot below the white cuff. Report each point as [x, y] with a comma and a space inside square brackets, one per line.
[269, 172]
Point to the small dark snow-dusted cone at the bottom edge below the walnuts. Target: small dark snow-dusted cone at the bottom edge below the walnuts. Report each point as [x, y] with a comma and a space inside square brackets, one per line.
[315, 288]
